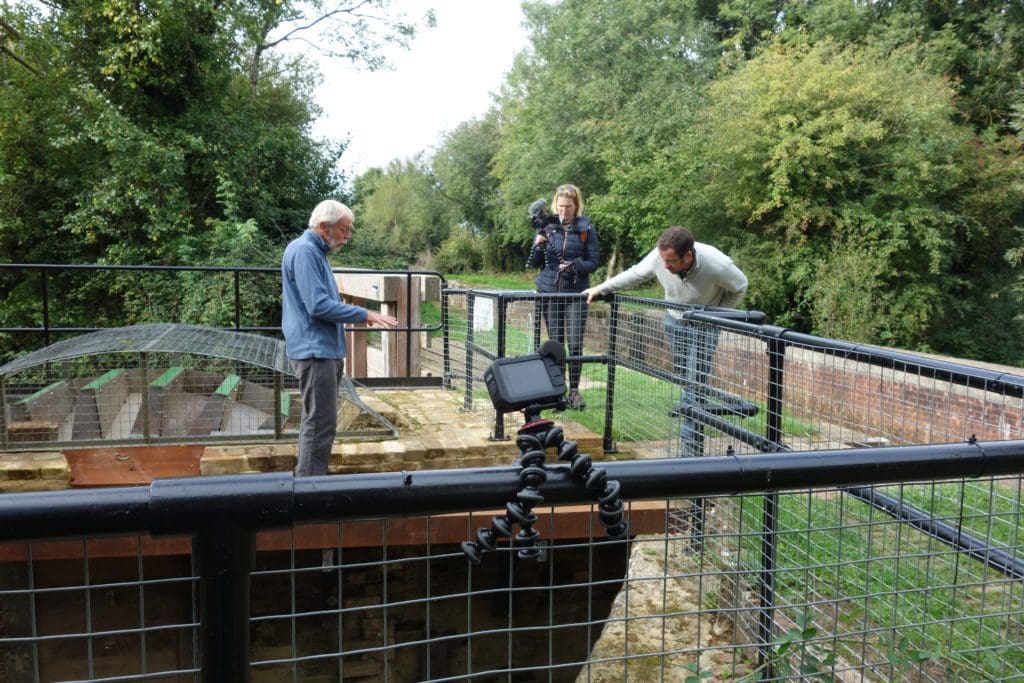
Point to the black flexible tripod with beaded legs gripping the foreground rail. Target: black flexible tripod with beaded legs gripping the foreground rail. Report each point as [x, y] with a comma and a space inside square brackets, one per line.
[534, 439]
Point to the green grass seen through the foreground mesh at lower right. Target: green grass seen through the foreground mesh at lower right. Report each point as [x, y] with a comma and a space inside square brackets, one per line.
[895, 578]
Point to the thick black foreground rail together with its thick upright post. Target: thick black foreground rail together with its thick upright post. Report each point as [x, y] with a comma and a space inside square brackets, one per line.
[224, 515]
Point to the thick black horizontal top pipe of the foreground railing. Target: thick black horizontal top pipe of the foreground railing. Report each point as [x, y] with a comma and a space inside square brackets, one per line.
[262, 501]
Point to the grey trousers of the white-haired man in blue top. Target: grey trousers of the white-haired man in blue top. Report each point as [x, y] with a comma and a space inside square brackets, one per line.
[319, 389]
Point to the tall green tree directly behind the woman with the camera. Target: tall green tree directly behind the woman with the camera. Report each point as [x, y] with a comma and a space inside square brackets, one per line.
[605, 86]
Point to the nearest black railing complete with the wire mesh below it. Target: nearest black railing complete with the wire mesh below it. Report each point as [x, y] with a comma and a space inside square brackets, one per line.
[858, 593]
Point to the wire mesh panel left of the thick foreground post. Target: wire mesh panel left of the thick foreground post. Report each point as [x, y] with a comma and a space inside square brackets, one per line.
[93, 610]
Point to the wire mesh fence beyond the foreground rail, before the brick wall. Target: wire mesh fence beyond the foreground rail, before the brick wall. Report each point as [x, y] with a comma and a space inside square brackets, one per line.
[670, 380]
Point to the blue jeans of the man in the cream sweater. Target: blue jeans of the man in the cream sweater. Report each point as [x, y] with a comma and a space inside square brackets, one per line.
[693, 347]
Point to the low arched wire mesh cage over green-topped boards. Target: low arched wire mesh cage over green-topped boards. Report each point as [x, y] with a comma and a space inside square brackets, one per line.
[159, 383]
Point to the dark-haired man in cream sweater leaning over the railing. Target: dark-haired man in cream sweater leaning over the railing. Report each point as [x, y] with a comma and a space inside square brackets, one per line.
[694, 274]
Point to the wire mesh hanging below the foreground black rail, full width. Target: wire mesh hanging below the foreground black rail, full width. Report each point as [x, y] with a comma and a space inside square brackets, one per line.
[858, 594]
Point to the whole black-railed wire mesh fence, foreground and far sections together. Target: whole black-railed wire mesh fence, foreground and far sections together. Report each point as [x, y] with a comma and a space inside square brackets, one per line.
[800, 508]
